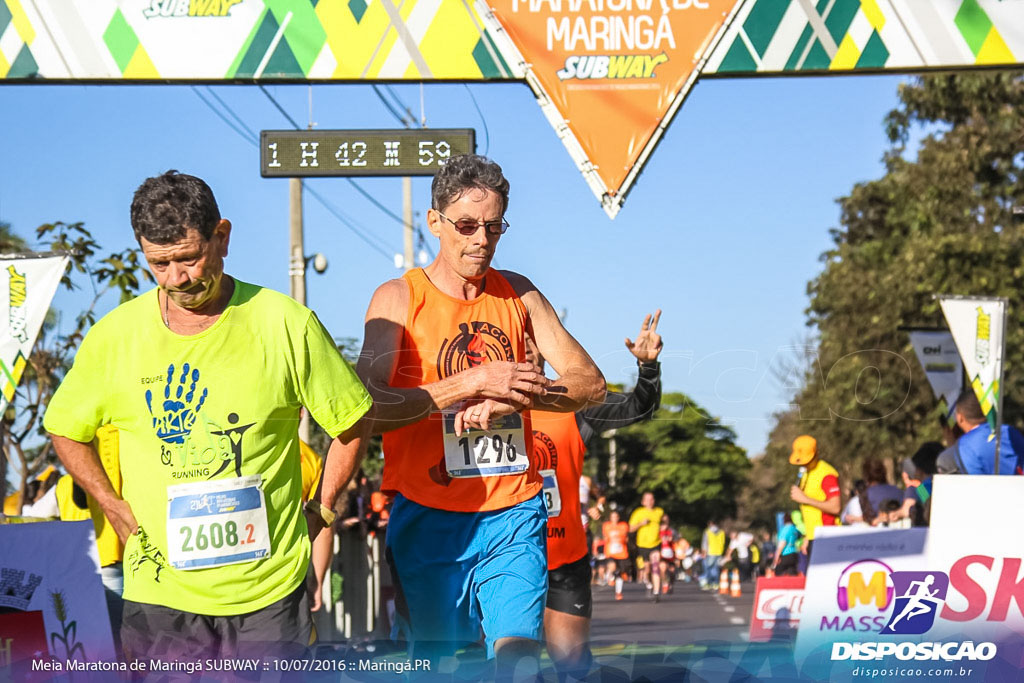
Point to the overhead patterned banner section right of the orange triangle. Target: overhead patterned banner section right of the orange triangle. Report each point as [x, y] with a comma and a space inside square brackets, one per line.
[799, 36]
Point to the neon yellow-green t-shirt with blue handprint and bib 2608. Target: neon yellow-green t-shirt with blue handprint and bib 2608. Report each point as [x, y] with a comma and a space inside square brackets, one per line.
[201, 410]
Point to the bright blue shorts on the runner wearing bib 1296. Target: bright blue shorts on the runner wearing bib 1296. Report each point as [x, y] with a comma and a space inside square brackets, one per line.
[458, 573]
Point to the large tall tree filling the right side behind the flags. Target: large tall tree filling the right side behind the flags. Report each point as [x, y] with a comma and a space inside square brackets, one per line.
[941, 223]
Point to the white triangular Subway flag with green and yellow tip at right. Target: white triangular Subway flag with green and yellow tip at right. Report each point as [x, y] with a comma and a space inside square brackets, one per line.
[976, 325]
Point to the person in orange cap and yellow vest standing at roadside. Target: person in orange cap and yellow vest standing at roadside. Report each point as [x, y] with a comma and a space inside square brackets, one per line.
[817, 490]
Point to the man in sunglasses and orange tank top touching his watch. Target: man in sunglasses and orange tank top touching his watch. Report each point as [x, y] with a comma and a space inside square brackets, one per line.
[445, 354]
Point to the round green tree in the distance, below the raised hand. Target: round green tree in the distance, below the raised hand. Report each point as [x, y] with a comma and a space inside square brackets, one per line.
[690, 460]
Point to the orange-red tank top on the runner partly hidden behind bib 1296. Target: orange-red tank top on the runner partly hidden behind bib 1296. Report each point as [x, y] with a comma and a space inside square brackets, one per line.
[559, 450]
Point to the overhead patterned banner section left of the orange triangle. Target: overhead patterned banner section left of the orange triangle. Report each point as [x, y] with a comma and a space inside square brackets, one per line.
[246, 39]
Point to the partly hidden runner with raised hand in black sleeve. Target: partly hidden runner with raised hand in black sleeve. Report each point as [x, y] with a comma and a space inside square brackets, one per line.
[560, 444]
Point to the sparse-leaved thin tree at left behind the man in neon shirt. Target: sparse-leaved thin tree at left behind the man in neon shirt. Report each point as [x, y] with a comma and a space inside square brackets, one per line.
[26, 445]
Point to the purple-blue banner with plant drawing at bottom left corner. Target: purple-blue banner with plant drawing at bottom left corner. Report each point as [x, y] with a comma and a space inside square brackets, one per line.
[54, 569]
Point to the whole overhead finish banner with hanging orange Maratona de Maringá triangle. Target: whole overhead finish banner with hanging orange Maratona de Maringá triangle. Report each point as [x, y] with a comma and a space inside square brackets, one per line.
[610, 75]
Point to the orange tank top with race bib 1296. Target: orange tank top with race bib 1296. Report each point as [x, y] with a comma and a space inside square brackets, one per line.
[426, 462]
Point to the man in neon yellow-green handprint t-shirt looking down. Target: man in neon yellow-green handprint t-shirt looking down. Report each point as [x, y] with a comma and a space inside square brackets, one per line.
[204, 378]
